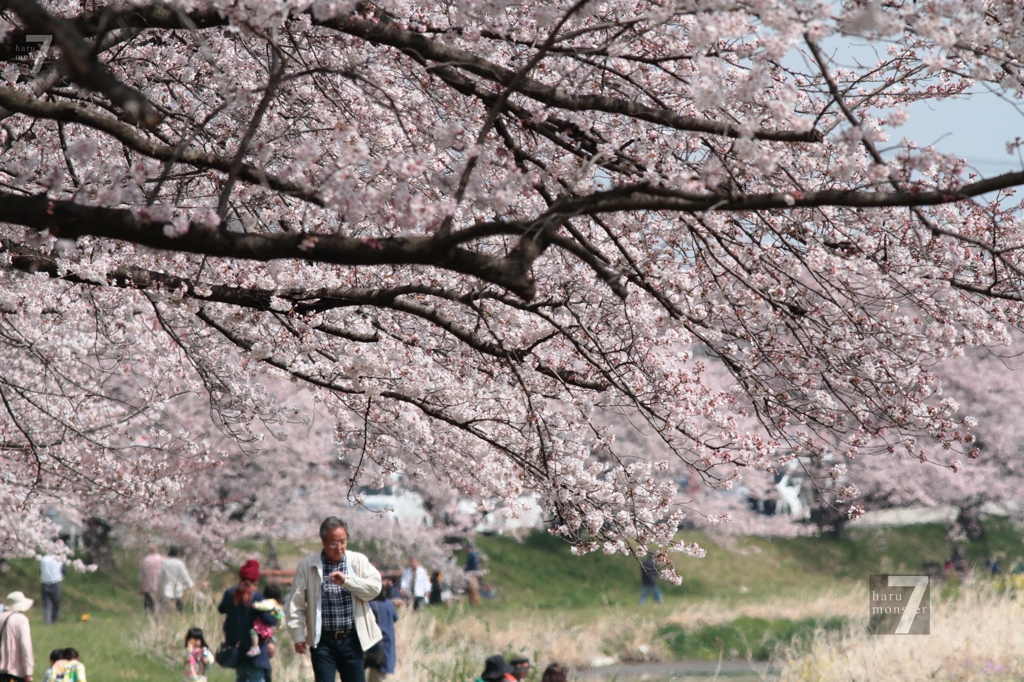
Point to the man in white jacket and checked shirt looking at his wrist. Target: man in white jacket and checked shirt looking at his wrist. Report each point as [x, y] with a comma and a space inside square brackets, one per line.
[329, 615]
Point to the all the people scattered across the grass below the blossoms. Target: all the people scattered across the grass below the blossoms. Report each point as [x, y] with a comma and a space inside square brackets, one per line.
[342, 612]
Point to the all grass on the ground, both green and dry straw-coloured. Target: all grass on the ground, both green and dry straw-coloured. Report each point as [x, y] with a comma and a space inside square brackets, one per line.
[578, 612]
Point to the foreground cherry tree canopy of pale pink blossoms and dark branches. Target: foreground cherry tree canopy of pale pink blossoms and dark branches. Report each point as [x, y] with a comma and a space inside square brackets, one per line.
[471, 226]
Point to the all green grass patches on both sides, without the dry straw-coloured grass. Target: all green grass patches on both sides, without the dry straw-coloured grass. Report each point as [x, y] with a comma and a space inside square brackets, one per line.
[542, 574]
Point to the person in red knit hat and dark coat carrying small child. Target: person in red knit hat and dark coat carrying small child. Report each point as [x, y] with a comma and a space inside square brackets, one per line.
[237, 606]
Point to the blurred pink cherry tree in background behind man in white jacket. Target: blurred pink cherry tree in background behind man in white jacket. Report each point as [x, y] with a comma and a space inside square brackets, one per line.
[269, 476]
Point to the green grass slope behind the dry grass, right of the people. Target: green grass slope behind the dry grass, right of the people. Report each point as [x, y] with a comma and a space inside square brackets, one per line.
[542, 573]
